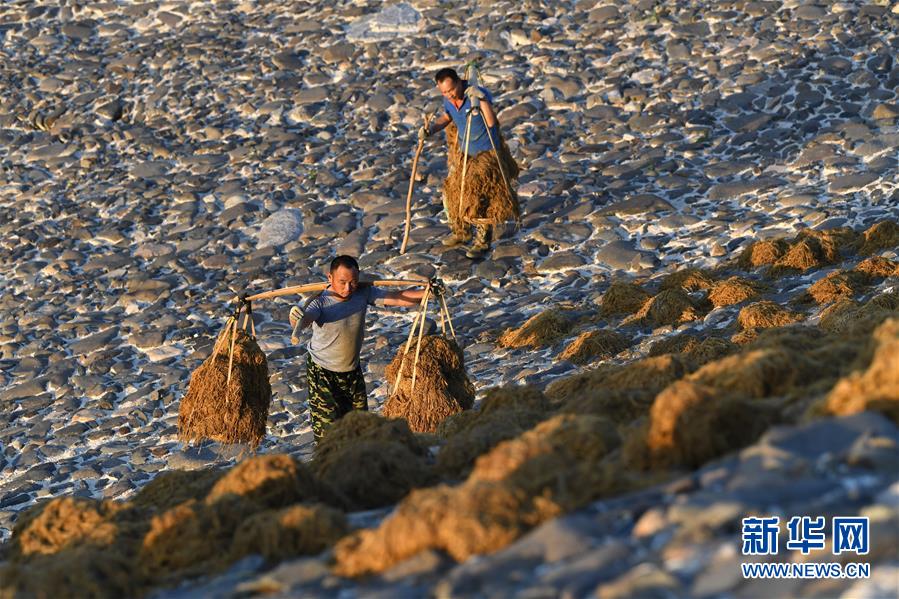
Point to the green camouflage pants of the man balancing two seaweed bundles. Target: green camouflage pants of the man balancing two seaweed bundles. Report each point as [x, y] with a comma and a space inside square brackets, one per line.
[332, 395]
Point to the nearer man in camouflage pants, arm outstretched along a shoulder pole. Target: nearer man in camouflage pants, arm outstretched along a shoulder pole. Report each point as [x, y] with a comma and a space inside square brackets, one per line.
[337, 318]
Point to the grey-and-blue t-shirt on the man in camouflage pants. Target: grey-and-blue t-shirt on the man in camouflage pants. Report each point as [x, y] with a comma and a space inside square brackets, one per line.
[338, 327]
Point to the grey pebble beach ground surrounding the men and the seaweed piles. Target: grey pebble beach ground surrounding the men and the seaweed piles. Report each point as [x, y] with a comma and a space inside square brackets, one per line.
[160, 157]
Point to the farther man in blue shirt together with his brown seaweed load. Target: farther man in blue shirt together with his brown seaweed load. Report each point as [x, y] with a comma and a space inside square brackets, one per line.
[489, 199]
